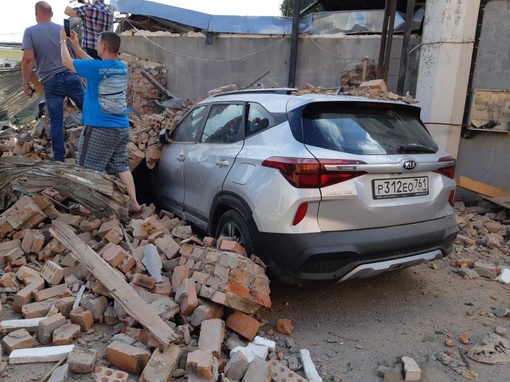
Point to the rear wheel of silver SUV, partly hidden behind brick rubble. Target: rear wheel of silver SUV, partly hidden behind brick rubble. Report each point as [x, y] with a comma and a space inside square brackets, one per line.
[233, 224]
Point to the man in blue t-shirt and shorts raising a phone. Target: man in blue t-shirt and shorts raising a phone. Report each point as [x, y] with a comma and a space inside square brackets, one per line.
[104, 139]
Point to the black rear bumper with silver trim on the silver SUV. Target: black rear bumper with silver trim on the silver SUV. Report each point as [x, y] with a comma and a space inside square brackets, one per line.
[341, 255]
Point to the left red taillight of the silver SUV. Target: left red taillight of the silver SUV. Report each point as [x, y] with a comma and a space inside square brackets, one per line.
[313, 173]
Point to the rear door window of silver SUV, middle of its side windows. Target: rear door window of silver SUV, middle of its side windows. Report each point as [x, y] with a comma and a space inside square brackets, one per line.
[223, 124]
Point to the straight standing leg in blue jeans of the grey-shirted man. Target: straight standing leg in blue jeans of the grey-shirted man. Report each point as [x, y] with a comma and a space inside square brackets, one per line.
[55, 104]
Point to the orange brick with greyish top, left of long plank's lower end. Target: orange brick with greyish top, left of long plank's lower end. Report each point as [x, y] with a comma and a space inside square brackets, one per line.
[126, 357]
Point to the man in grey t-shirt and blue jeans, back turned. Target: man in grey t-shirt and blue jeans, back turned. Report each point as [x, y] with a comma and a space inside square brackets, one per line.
[41, 46]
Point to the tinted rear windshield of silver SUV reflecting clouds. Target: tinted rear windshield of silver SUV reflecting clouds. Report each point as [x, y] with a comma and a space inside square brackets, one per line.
[365, 131]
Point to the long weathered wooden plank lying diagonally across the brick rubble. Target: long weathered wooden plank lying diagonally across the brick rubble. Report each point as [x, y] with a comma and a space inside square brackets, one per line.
[116, 285]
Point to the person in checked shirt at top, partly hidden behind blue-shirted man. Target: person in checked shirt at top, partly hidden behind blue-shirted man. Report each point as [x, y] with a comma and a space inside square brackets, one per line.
[96, 17]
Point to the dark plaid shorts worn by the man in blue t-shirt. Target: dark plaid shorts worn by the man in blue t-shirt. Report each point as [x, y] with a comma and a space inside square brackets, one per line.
[104, 149]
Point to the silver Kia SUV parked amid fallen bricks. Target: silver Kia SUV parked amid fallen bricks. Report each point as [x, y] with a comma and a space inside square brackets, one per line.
[320, 187]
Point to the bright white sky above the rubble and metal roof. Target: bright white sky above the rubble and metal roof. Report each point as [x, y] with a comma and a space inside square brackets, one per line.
[22, 14]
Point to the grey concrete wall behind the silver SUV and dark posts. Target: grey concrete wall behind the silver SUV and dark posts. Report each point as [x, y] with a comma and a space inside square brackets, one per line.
[197, 64]
